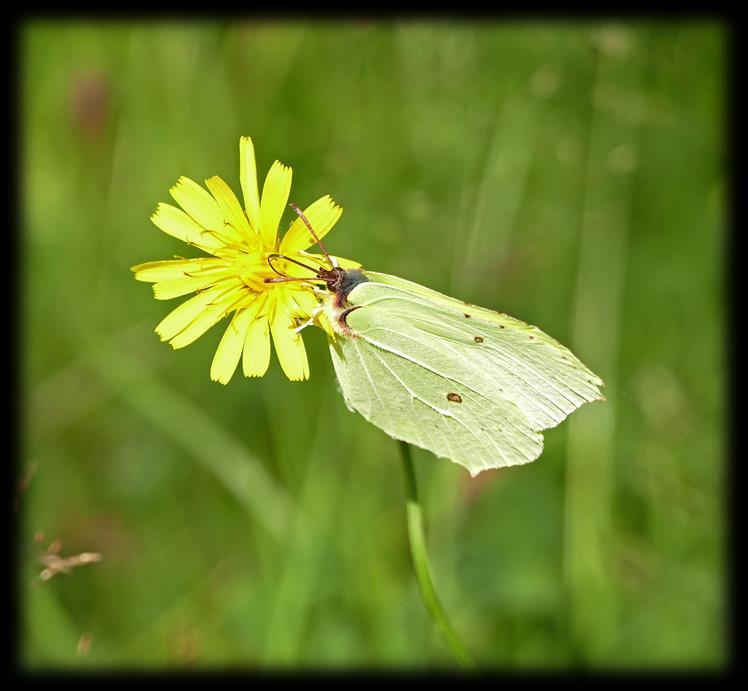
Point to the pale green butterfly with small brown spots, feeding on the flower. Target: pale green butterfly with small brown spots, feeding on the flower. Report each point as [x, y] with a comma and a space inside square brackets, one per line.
[467, 383]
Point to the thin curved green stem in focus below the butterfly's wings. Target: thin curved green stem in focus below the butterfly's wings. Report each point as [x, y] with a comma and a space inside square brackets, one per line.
[421, 562]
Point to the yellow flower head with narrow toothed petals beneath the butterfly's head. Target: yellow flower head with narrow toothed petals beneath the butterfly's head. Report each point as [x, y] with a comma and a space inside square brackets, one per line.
[232, 280]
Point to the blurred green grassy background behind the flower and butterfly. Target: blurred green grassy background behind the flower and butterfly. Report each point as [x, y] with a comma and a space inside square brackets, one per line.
[570, 174]
